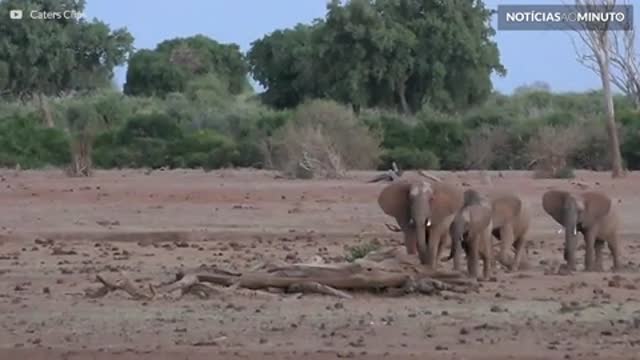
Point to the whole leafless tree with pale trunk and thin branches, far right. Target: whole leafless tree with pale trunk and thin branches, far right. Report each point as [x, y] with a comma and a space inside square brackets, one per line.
[599, 41]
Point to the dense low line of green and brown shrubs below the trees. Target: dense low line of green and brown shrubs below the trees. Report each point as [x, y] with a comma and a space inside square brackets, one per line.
[525, 130]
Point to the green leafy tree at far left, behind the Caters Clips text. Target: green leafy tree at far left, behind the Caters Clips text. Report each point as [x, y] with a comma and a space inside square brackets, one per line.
[53, 57]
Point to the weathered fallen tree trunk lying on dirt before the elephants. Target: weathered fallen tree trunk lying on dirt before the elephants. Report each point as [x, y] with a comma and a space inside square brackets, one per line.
[384, 269]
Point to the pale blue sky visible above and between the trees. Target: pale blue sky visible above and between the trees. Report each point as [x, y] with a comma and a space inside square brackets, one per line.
[529, 56]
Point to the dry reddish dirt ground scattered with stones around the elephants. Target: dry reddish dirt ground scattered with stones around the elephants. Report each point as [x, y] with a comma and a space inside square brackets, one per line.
[56, 233]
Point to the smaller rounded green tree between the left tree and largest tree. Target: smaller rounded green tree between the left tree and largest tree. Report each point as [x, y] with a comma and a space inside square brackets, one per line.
[176, 62]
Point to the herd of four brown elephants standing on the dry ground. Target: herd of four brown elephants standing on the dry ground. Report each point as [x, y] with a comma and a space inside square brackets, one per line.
[431, 214]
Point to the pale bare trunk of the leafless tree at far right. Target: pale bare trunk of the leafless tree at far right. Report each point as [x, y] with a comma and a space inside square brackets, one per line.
[612, 131]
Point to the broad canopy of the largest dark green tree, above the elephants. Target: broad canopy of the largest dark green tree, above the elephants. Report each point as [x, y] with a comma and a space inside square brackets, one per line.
[397, 54]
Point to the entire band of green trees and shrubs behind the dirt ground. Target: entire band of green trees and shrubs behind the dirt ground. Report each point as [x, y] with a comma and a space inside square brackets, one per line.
[371, 83]
